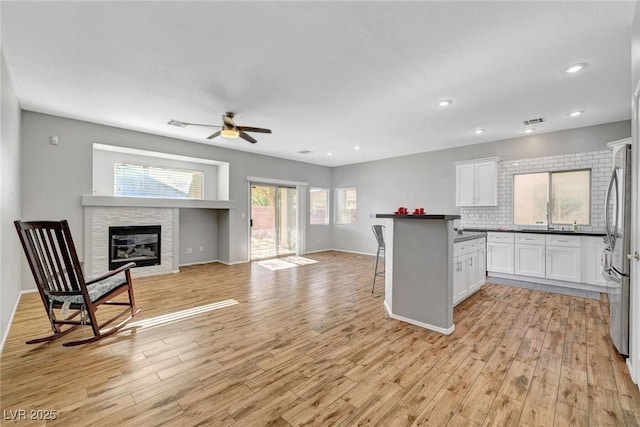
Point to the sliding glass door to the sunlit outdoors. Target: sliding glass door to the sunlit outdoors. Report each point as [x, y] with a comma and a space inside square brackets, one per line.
[274, 221]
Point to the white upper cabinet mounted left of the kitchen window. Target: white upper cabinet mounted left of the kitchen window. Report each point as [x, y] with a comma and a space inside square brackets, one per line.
[477, 182]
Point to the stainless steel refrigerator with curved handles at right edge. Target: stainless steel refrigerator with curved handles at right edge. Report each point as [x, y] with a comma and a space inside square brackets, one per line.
[616, 265]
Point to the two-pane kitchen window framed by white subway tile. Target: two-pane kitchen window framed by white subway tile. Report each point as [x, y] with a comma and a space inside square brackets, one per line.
[552, 198]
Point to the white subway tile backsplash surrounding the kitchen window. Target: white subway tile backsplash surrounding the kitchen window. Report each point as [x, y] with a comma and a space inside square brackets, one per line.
[502, 215]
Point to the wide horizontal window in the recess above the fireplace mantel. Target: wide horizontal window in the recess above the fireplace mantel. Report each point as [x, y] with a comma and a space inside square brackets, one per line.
[152, 181]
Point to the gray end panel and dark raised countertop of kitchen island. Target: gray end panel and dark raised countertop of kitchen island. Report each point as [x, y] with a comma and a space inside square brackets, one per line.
[418, 269]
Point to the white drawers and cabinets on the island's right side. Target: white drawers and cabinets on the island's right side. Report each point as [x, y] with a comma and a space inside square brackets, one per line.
[469, 271]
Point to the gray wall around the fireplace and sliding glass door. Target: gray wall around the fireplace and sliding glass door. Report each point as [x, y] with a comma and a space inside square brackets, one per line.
[54, 177]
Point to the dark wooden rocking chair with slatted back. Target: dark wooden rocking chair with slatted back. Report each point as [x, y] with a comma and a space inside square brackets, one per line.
[62, 285]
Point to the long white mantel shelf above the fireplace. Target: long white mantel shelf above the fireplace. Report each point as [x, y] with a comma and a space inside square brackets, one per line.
[148, 202]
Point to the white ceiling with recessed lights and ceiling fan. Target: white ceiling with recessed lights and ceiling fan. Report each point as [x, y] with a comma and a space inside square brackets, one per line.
[324, 76]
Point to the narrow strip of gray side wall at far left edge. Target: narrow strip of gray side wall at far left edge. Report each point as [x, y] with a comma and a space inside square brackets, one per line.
[10, 250]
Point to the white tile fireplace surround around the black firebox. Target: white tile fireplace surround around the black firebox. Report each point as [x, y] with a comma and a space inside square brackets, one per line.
[98, 219]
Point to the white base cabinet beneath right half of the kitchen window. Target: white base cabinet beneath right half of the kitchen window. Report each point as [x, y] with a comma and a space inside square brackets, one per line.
[563, 258]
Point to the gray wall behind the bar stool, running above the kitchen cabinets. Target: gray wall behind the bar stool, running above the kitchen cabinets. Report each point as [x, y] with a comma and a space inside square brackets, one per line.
[428, 179]
